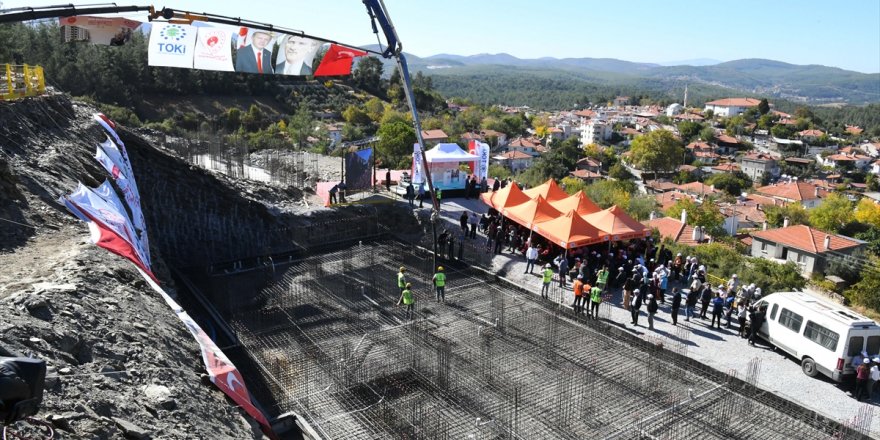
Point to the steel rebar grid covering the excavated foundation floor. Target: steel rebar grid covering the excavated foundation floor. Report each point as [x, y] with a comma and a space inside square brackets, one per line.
[492, 362]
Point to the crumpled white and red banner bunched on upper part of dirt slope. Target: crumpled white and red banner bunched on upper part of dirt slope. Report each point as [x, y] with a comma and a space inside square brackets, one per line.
[109, 228]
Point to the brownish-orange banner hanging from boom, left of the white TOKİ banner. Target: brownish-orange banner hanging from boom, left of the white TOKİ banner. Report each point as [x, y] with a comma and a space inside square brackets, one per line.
[110, 31]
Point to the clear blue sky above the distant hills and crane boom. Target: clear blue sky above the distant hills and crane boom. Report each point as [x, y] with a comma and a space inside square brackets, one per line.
[839, 33]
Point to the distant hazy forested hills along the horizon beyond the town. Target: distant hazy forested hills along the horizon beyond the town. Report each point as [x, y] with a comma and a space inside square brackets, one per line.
[811, 84]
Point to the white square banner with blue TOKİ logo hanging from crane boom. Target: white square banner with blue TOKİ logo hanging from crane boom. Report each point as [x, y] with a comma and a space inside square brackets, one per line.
[171, 45]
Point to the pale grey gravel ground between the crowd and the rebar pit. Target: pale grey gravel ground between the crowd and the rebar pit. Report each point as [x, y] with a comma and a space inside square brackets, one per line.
[721, 349]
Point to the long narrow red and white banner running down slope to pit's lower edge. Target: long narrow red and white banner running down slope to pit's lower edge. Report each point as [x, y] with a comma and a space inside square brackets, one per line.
[223, 372]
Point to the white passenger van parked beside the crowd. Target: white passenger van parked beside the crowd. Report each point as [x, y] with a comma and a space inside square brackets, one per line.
[823, 335]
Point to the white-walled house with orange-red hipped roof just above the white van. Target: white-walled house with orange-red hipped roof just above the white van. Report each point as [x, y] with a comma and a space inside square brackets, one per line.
[809, 248]
